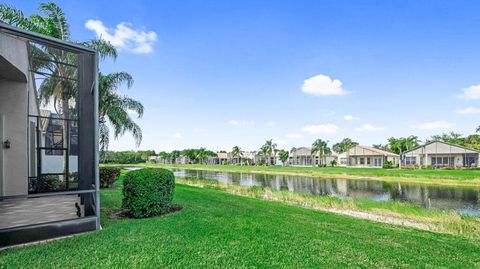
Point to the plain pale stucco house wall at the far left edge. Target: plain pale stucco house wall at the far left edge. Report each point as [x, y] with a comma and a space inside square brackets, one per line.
[13, 108]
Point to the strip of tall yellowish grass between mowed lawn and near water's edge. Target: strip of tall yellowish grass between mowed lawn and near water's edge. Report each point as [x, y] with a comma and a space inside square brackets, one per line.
[405, 214]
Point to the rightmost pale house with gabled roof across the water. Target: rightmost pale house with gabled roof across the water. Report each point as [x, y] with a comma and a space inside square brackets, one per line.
[441, 154]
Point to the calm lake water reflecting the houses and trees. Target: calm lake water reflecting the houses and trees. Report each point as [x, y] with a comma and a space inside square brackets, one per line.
[462, 200]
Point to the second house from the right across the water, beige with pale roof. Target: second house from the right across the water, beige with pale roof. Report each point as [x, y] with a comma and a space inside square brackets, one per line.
[364, 156]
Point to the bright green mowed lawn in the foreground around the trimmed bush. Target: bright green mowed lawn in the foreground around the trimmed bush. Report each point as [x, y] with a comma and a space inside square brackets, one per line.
[220, 230]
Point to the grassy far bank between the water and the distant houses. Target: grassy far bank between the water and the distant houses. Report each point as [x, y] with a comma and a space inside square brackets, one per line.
[464, 178]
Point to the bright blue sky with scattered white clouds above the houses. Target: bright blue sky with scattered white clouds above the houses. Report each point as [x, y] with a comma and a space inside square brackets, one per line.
[224, 73]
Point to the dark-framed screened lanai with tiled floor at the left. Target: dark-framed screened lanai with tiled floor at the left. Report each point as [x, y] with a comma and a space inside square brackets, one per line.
[48, 133]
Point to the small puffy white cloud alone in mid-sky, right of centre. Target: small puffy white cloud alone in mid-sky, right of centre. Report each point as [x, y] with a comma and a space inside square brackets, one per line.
[322, 85]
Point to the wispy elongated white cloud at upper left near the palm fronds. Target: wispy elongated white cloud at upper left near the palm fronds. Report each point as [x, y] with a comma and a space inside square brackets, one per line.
[124, 37]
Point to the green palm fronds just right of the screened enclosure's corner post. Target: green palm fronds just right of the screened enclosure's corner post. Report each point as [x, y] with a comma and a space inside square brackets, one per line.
[114, 108]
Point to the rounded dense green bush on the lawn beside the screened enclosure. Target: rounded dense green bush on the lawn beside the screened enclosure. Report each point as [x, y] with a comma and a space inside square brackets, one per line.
[148, 192]
